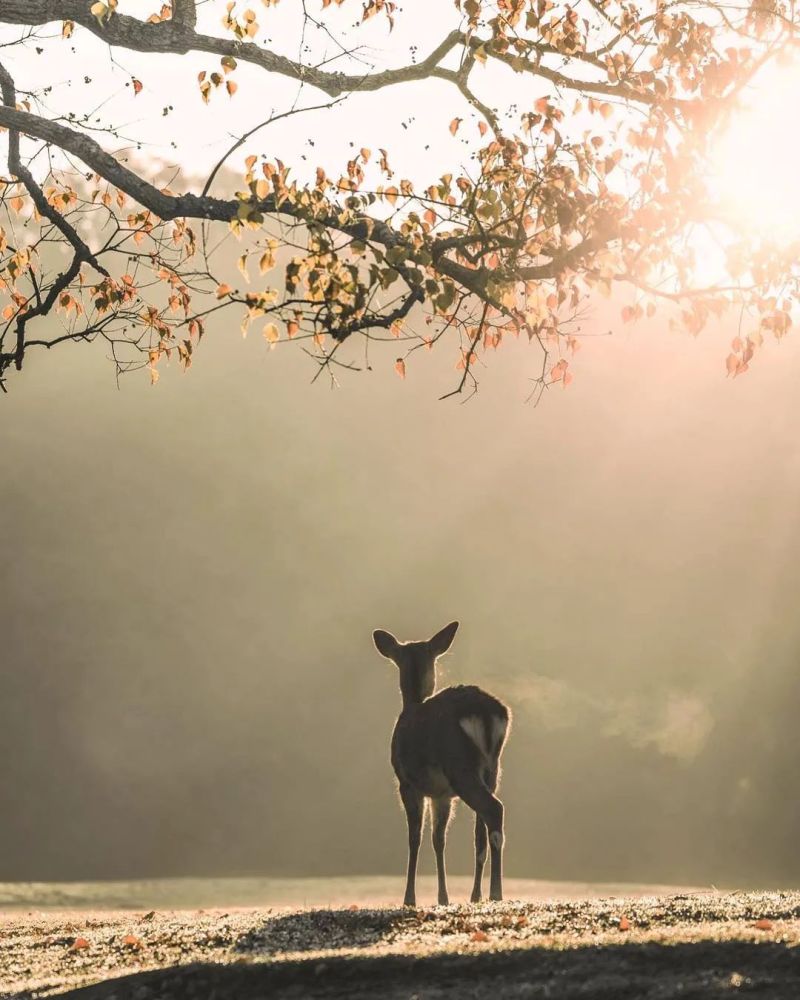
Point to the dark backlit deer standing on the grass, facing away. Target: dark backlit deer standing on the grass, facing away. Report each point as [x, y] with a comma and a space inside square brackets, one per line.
[445, 746]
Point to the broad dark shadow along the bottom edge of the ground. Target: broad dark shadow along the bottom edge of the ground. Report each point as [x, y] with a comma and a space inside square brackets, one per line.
[612, 972]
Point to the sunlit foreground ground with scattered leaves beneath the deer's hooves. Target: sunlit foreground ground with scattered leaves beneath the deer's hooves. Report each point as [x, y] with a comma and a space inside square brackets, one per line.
[686, 945]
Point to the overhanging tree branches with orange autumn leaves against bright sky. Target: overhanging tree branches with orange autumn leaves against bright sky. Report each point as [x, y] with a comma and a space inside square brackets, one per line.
[584, 140]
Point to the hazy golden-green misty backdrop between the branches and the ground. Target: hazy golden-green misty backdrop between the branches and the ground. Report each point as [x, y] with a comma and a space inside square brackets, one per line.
[191, 574]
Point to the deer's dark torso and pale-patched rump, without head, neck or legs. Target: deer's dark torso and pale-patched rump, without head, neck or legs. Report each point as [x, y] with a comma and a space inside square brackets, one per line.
[456, 731]
